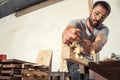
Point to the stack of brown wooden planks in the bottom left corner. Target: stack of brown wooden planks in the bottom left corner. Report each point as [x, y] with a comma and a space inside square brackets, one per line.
[13, 69]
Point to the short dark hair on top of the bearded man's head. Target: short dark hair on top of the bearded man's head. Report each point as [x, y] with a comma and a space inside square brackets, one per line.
[104, 4]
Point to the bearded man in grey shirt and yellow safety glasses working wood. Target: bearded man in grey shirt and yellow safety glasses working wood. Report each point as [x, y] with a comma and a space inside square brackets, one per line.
[91, 31]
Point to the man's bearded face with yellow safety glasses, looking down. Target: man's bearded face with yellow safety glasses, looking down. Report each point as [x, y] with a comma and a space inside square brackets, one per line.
[97, 15]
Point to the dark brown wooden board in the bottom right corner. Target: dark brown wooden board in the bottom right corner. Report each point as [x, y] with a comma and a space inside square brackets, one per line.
[108, 69]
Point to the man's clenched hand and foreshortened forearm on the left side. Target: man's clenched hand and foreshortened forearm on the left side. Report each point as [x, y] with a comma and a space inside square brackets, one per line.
[70, 35]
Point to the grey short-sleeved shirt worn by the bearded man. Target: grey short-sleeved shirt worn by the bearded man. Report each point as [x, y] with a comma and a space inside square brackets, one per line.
[86, 34]
